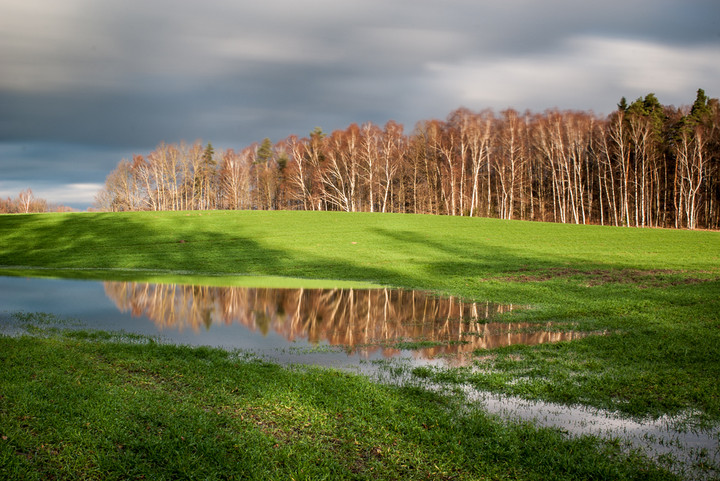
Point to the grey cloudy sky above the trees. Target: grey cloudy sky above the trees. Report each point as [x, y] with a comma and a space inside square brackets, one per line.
[85, 83]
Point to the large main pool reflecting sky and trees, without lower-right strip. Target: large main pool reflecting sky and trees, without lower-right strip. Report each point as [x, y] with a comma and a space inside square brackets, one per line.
[288, 325]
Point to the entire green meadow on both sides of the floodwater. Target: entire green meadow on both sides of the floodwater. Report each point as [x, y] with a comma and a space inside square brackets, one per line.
[654, 295]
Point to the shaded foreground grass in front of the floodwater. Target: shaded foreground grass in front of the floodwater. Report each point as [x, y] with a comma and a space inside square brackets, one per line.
[76, 405]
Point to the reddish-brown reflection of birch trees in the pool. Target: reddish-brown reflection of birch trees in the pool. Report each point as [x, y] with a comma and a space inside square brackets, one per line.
[349, 317]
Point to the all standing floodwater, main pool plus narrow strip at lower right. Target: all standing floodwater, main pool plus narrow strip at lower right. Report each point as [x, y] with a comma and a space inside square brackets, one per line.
[359, 329]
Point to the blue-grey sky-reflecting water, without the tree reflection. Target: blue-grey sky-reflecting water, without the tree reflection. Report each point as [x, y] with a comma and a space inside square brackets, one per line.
[88, 302]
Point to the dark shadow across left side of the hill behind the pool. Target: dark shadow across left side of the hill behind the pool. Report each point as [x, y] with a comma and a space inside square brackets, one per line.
[139, 246]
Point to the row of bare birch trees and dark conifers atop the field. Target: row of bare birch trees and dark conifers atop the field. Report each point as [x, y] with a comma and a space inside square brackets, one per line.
[644, 165]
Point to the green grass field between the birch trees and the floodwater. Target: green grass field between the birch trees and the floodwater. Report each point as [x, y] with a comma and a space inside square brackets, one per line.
[656, 293]
